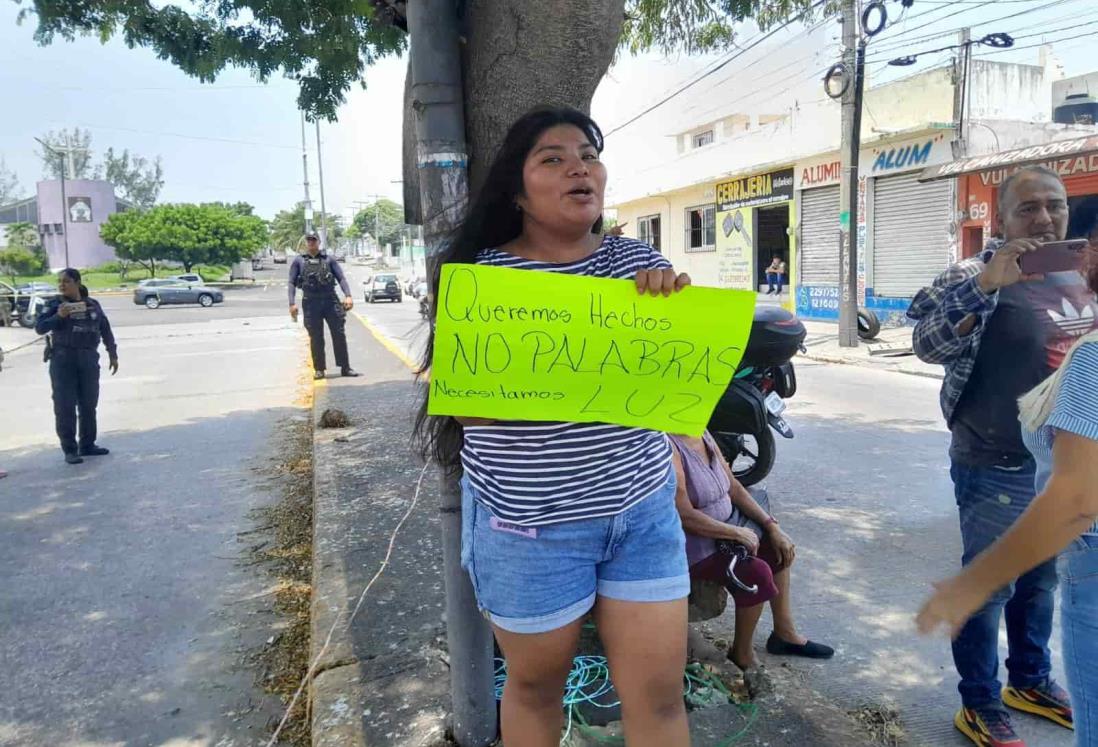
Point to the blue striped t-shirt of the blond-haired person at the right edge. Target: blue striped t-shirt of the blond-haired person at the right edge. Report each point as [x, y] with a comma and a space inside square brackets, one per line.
[1074, 411]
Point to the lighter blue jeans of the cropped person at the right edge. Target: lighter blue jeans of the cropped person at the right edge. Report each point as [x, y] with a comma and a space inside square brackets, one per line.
[1079, 617]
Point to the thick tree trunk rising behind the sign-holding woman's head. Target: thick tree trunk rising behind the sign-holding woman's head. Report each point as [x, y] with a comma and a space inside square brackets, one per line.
[526, 53]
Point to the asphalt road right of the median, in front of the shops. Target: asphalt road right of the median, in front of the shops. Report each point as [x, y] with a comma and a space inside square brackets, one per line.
[865, 490]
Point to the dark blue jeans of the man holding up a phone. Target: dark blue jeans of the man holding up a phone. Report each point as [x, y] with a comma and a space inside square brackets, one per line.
[990, 500]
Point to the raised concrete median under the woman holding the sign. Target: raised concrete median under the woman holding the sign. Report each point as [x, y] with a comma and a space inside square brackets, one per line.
[384, 681]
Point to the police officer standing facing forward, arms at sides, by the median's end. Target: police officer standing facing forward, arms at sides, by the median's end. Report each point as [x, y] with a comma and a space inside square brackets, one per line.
[317, 274]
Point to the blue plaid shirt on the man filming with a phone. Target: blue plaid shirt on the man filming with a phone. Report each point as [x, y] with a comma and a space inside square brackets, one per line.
[938, 311]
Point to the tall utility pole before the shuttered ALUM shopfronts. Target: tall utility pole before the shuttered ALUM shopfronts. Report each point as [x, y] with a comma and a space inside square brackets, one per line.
[854, 62]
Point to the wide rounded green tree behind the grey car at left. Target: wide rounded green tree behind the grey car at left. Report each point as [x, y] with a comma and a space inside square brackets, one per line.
[191, 235]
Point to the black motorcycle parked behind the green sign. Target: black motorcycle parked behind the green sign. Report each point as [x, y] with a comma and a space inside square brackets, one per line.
[754, 405]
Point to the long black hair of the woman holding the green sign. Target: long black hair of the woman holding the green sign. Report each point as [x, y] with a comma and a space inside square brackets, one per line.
[494, 220]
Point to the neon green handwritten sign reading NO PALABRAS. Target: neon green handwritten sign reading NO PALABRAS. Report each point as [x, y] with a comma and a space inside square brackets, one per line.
[524, 345]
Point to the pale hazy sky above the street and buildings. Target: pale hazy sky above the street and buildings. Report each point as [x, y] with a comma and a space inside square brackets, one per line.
[240, 140]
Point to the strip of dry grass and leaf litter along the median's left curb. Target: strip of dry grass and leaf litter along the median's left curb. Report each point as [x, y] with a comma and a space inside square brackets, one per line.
[288, 558]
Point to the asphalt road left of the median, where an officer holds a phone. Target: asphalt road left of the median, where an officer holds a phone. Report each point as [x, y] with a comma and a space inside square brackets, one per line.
[127, 611]
